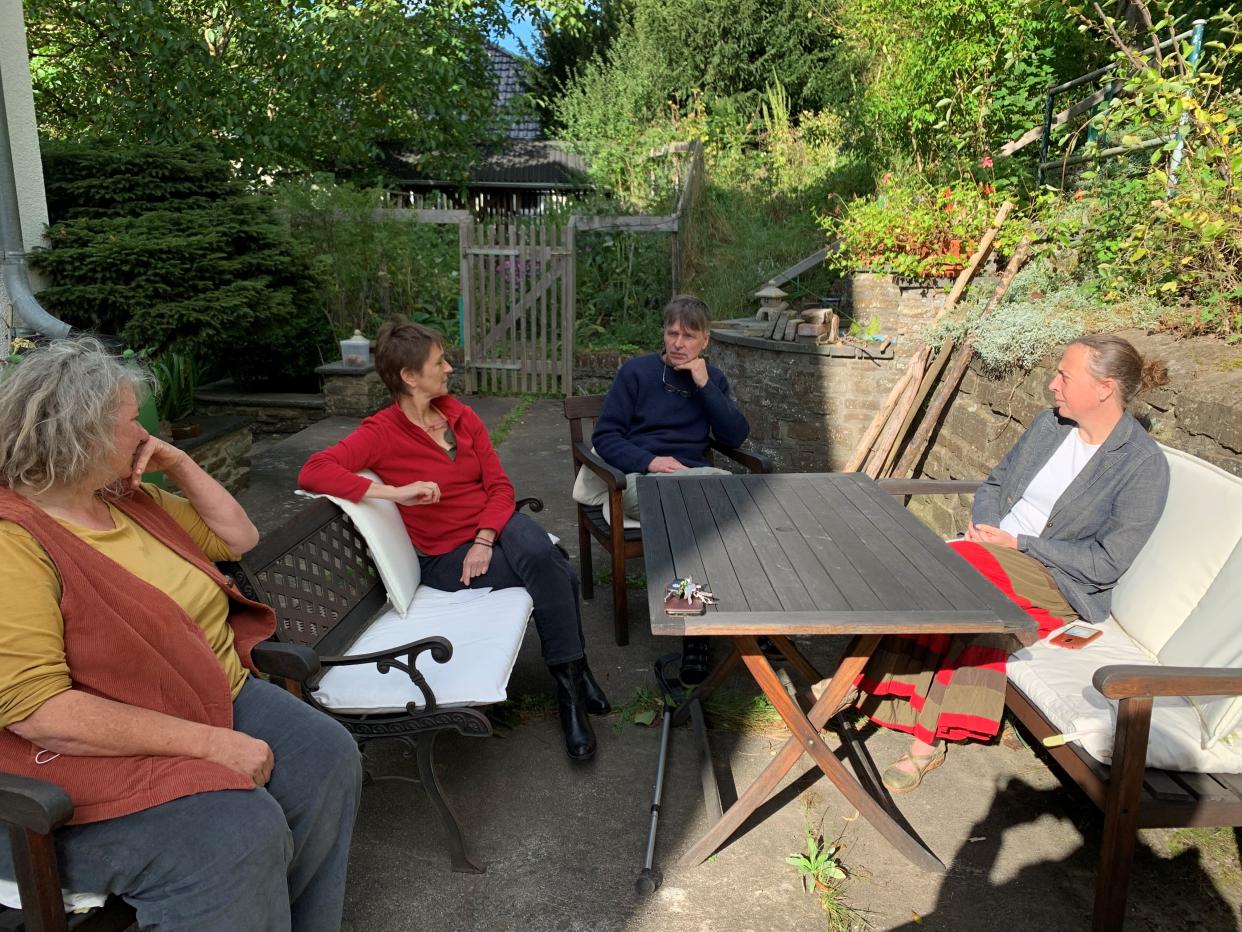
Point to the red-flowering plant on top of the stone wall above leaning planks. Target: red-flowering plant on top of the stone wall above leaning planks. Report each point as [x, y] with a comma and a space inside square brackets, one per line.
[912, 229]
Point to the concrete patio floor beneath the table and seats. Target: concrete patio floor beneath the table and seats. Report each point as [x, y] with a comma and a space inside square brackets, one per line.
[563, 844]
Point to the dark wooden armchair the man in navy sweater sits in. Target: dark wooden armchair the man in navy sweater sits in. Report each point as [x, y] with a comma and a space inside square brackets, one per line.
[620, 542]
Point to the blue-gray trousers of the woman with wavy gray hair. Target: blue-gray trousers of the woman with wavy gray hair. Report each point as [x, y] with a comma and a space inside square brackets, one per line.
[263, 861]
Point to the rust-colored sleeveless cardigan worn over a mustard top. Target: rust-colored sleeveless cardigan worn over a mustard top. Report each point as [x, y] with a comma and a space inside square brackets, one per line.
[127, 642]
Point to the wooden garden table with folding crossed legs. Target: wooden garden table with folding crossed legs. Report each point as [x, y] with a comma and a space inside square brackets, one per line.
[807, 555]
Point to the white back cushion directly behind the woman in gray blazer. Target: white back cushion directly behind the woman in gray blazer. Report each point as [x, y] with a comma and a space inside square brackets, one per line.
[1197, 534]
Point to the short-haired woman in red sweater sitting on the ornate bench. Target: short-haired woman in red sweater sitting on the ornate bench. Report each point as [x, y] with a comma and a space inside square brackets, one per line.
[435, 460]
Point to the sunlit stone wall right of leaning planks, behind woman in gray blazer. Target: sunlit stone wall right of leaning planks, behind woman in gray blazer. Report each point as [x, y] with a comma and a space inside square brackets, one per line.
[1199, 412]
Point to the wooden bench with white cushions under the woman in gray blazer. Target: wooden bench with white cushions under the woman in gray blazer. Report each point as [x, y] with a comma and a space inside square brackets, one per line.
[1152, 710]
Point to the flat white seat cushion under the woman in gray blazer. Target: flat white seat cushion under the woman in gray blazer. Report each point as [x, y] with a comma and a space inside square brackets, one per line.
[1058, 682]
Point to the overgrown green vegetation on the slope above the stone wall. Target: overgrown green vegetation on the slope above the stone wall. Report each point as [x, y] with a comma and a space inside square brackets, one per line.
[894, 145]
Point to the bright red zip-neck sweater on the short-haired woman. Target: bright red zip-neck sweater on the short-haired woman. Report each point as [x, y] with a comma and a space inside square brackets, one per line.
[474, 490]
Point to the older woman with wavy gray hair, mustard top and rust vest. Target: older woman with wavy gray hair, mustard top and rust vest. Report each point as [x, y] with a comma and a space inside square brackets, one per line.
[203, 796]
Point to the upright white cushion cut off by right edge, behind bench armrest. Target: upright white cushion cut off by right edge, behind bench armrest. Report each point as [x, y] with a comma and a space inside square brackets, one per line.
[1213, 637]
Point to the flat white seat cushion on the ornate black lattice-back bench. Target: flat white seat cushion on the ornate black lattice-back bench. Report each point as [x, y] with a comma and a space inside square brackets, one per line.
[485, 627]
